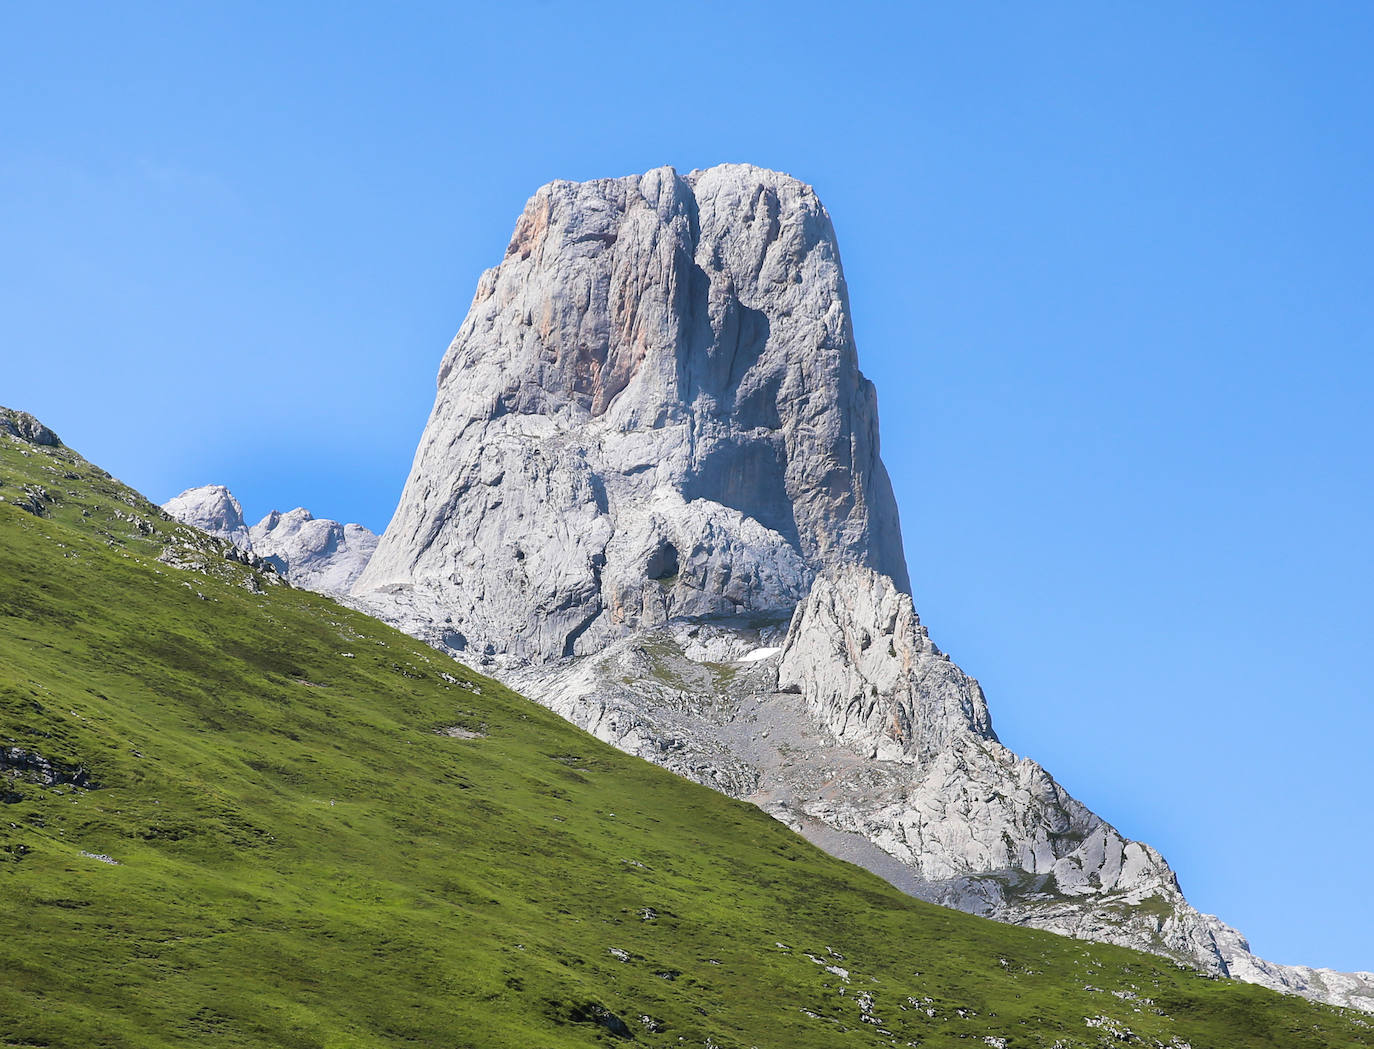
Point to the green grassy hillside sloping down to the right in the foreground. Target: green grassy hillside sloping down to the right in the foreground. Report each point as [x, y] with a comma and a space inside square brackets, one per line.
[240, 815]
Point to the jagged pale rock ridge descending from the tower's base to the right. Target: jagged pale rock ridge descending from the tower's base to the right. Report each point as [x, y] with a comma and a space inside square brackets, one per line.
[980, 828]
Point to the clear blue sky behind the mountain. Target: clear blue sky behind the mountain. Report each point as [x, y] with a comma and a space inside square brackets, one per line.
[1111, 269]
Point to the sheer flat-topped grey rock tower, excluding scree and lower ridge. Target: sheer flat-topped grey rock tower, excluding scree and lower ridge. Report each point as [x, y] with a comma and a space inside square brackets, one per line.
[653, 410]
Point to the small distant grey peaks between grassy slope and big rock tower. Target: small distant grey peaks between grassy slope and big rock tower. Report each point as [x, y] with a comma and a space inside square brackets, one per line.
[311, 553]
